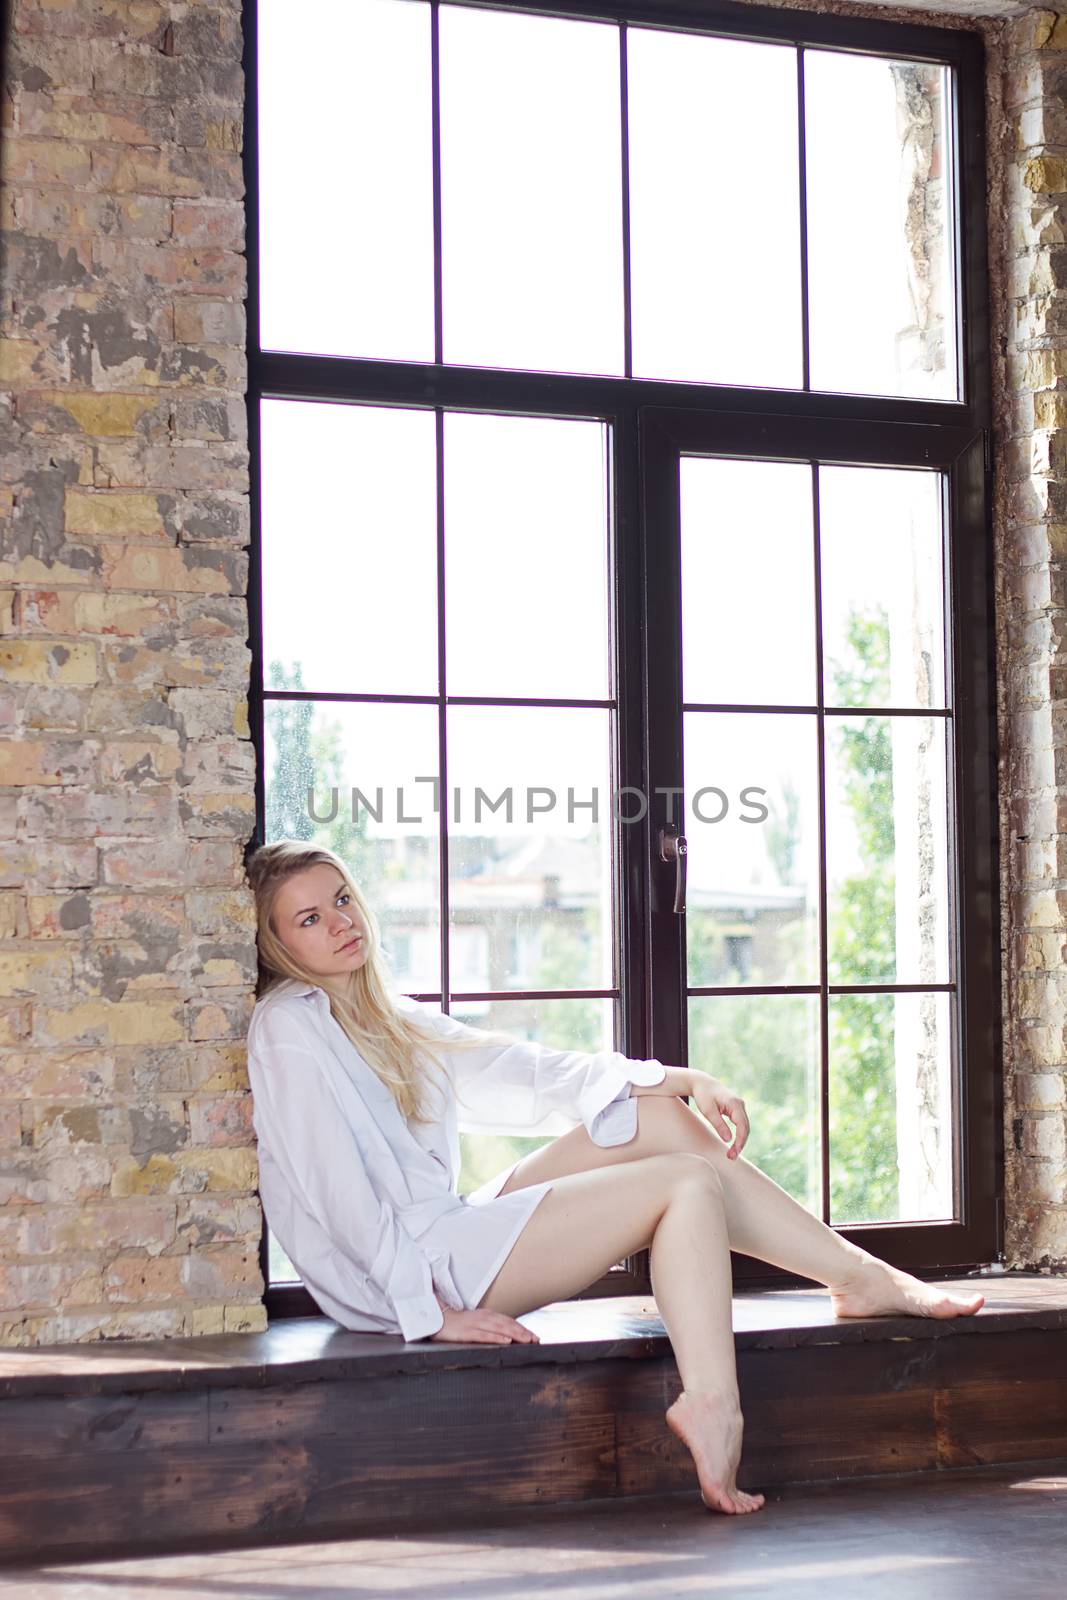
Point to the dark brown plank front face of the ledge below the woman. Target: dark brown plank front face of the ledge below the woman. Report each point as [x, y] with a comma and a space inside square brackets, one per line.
[161, 1470]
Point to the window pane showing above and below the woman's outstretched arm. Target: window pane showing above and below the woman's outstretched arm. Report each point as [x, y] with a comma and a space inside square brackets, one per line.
[564, 1025]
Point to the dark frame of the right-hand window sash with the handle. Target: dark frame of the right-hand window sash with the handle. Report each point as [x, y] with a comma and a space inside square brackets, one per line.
[973, 910]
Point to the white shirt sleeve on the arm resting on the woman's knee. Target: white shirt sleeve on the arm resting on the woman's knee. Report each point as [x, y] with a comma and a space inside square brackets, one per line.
[532, 1089]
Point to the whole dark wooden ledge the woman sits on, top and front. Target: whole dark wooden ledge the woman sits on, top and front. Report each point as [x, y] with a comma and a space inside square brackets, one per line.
[311, 1433]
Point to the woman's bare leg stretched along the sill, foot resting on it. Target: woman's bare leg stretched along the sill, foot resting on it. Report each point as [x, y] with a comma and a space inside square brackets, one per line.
[762, 1220]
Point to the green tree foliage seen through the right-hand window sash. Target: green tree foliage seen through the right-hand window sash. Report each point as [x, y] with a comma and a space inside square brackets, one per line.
[767, 1046]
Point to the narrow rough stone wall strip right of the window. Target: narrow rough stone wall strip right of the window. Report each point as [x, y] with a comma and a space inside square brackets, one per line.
[1031, 521]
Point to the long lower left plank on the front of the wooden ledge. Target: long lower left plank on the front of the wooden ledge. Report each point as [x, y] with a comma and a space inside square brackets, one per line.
[335, 1486]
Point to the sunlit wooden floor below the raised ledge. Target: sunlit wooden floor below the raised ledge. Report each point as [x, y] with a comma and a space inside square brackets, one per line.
[994, 1534]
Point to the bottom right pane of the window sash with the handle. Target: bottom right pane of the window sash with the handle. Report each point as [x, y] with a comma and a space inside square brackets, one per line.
[892, 1122]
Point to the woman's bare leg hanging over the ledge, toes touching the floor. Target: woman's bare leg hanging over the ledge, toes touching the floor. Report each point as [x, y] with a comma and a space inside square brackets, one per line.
[674, 1206]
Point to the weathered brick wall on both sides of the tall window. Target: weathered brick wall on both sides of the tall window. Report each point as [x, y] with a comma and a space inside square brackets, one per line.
[127, 948]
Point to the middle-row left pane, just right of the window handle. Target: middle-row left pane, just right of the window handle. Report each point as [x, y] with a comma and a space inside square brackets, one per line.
[751, 822]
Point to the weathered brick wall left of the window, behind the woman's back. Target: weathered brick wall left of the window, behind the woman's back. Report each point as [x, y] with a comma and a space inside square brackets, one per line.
[127, 951]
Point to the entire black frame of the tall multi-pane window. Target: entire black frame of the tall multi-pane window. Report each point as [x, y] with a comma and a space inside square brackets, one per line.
[650, 420]
